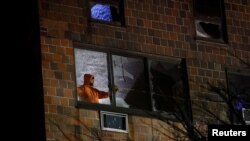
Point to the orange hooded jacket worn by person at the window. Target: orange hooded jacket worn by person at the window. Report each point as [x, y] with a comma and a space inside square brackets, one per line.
[89, 93]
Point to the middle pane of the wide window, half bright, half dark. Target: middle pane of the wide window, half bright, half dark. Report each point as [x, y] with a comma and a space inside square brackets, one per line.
[129, 76]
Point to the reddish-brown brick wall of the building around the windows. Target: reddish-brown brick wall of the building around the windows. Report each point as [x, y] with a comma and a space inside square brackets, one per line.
[160, 27]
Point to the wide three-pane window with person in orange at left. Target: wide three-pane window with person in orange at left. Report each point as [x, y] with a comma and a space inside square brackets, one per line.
[145, 83]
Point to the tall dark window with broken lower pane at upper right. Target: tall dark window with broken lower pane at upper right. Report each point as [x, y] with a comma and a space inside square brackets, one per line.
[210, 20]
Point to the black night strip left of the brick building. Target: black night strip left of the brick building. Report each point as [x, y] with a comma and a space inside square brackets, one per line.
[22, 97]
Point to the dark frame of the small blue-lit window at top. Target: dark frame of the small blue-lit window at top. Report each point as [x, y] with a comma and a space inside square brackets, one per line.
[116, 3]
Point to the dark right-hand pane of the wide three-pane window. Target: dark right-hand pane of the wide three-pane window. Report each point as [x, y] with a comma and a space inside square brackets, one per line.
[166, 85]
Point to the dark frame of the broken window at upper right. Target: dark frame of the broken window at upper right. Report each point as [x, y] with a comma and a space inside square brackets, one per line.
[221, 21]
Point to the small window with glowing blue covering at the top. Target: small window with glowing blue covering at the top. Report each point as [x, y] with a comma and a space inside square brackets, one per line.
[110, 12]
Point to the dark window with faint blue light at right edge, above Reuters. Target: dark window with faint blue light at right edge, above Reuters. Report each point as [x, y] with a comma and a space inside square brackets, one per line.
[239, 90]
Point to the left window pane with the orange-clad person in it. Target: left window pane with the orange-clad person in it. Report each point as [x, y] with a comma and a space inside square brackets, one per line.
[91, 66]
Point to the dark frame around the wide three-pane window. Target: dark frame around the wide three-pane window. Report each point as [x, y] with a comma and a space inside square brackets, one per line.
[149, 112]
